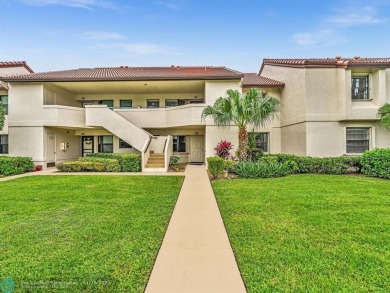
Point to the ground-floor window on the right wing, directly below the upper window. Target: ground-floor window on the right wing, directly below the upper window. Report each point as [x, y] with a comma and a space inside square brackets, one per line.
[358, 140]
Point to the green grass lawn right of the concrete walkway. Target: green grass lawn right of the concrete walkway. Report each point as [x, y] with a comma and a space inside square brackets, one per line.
[309, 233]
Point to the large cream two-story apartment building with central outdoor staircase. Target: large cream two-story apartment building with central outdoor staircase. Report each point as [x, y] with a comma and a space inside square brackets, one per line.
[329, 109]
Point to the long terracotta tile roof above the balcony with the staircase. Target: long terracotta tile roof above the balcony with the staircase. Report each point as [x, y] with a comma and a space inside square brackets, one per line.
[132, 73]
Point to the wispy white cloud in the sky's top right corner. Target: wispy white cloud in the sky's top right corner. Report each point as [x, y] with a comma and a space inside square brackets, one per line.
[365, 15]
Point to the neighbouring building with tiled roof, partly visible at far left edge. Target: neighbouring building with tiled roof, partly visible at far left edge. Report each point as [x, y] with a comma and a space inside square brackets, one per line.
[8, 69]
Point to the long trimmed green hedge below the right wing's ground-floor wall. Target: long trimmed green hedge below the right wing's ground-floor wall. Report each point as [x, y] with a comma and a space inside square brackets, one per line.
[336, 165]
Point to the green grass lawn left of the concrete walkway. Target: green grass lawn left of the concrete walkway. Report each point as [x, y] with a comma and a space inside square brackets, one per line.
[83, 233]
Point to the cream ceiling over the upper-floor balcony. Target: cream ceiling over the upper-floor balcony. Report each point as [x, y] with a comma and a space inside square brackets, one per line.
[136, 87]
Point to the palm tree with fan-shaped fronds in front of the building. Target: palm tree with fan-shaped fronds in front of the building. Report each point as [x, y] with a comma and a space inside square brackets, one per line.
[253, 109]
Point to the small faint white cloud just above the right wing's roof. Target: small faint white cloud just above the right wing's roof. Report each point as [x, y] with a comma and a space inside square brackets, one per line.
[321, 37]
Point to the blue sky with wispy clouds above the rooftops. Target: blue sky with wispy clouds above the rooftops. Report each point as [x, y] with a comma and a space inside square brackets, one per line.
[64, 34]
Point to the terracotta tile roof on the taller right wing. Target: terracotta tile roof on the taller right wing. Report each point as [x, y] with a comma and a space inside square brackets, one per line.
[327, 62]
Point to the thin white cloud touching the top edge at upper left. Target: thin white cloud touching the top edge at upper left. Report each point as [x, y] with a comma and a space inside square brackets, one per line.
[86, 4]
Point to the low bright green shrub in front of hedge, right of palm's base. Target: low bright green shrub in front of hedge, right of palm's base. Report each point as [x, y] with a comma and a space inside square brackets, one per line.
[263, 169]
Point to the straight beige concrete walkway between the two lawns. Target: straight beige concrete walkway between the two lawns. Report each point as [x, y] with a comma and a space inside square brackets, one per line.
[196, 255]
